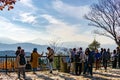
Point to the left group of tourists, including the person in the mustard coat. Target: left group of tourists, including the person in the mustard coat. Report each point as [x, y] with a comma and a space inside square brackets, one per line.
[23, 65]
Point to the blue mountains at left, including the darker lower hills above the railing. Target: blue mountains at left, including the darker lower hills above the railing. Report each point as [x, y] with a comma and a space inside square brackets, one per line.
[9, 49]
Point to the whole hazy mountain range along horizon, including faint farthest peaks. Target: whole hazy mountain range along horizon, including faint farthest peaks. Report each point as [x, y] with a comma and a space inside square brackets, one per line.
[9, 44]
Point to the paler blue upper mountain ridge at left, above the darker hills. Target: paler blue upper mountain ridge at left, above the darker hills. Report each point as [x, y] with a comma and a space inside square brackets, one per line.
[28, 47]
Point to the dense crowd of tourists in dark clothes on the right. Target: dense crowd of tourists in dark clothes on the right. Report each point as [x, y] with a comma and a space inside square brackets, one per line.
[82, 62]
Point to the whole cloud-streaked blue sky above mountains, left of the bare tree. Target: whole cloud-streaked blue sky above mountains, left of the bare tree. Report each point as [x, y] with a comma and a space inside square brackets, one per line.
[48, 20]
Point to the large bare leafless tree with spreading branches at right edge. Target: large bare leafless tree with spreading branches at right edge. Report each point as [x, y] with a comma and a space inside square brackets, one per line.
[105, 15]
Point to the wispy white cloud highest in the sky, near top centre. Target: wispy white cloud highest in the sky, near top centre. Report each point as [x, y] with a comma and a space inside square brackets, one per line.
[73, 11]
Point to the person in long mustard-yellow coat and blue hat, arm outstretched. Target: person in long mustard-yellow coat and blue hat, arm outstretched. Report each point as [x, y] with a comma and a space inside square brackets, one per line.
[34, 59]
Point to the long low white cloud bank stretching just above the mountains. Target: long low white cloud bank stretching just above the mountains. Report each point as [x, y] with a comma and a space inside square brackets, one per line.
[57, 29]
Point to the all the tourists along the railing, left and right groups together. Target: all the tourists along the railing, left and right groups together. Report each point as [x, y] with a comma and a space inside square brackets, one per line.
[80, 62]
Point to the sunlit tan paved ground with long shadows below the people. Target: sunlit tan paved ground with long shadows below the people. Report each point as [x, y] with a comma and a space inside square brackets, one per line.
[111, 74]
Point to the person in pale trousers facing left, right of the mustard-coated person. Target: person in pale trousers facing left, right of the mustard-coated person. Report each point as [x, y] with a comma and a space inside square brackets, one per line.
[50, 56]
